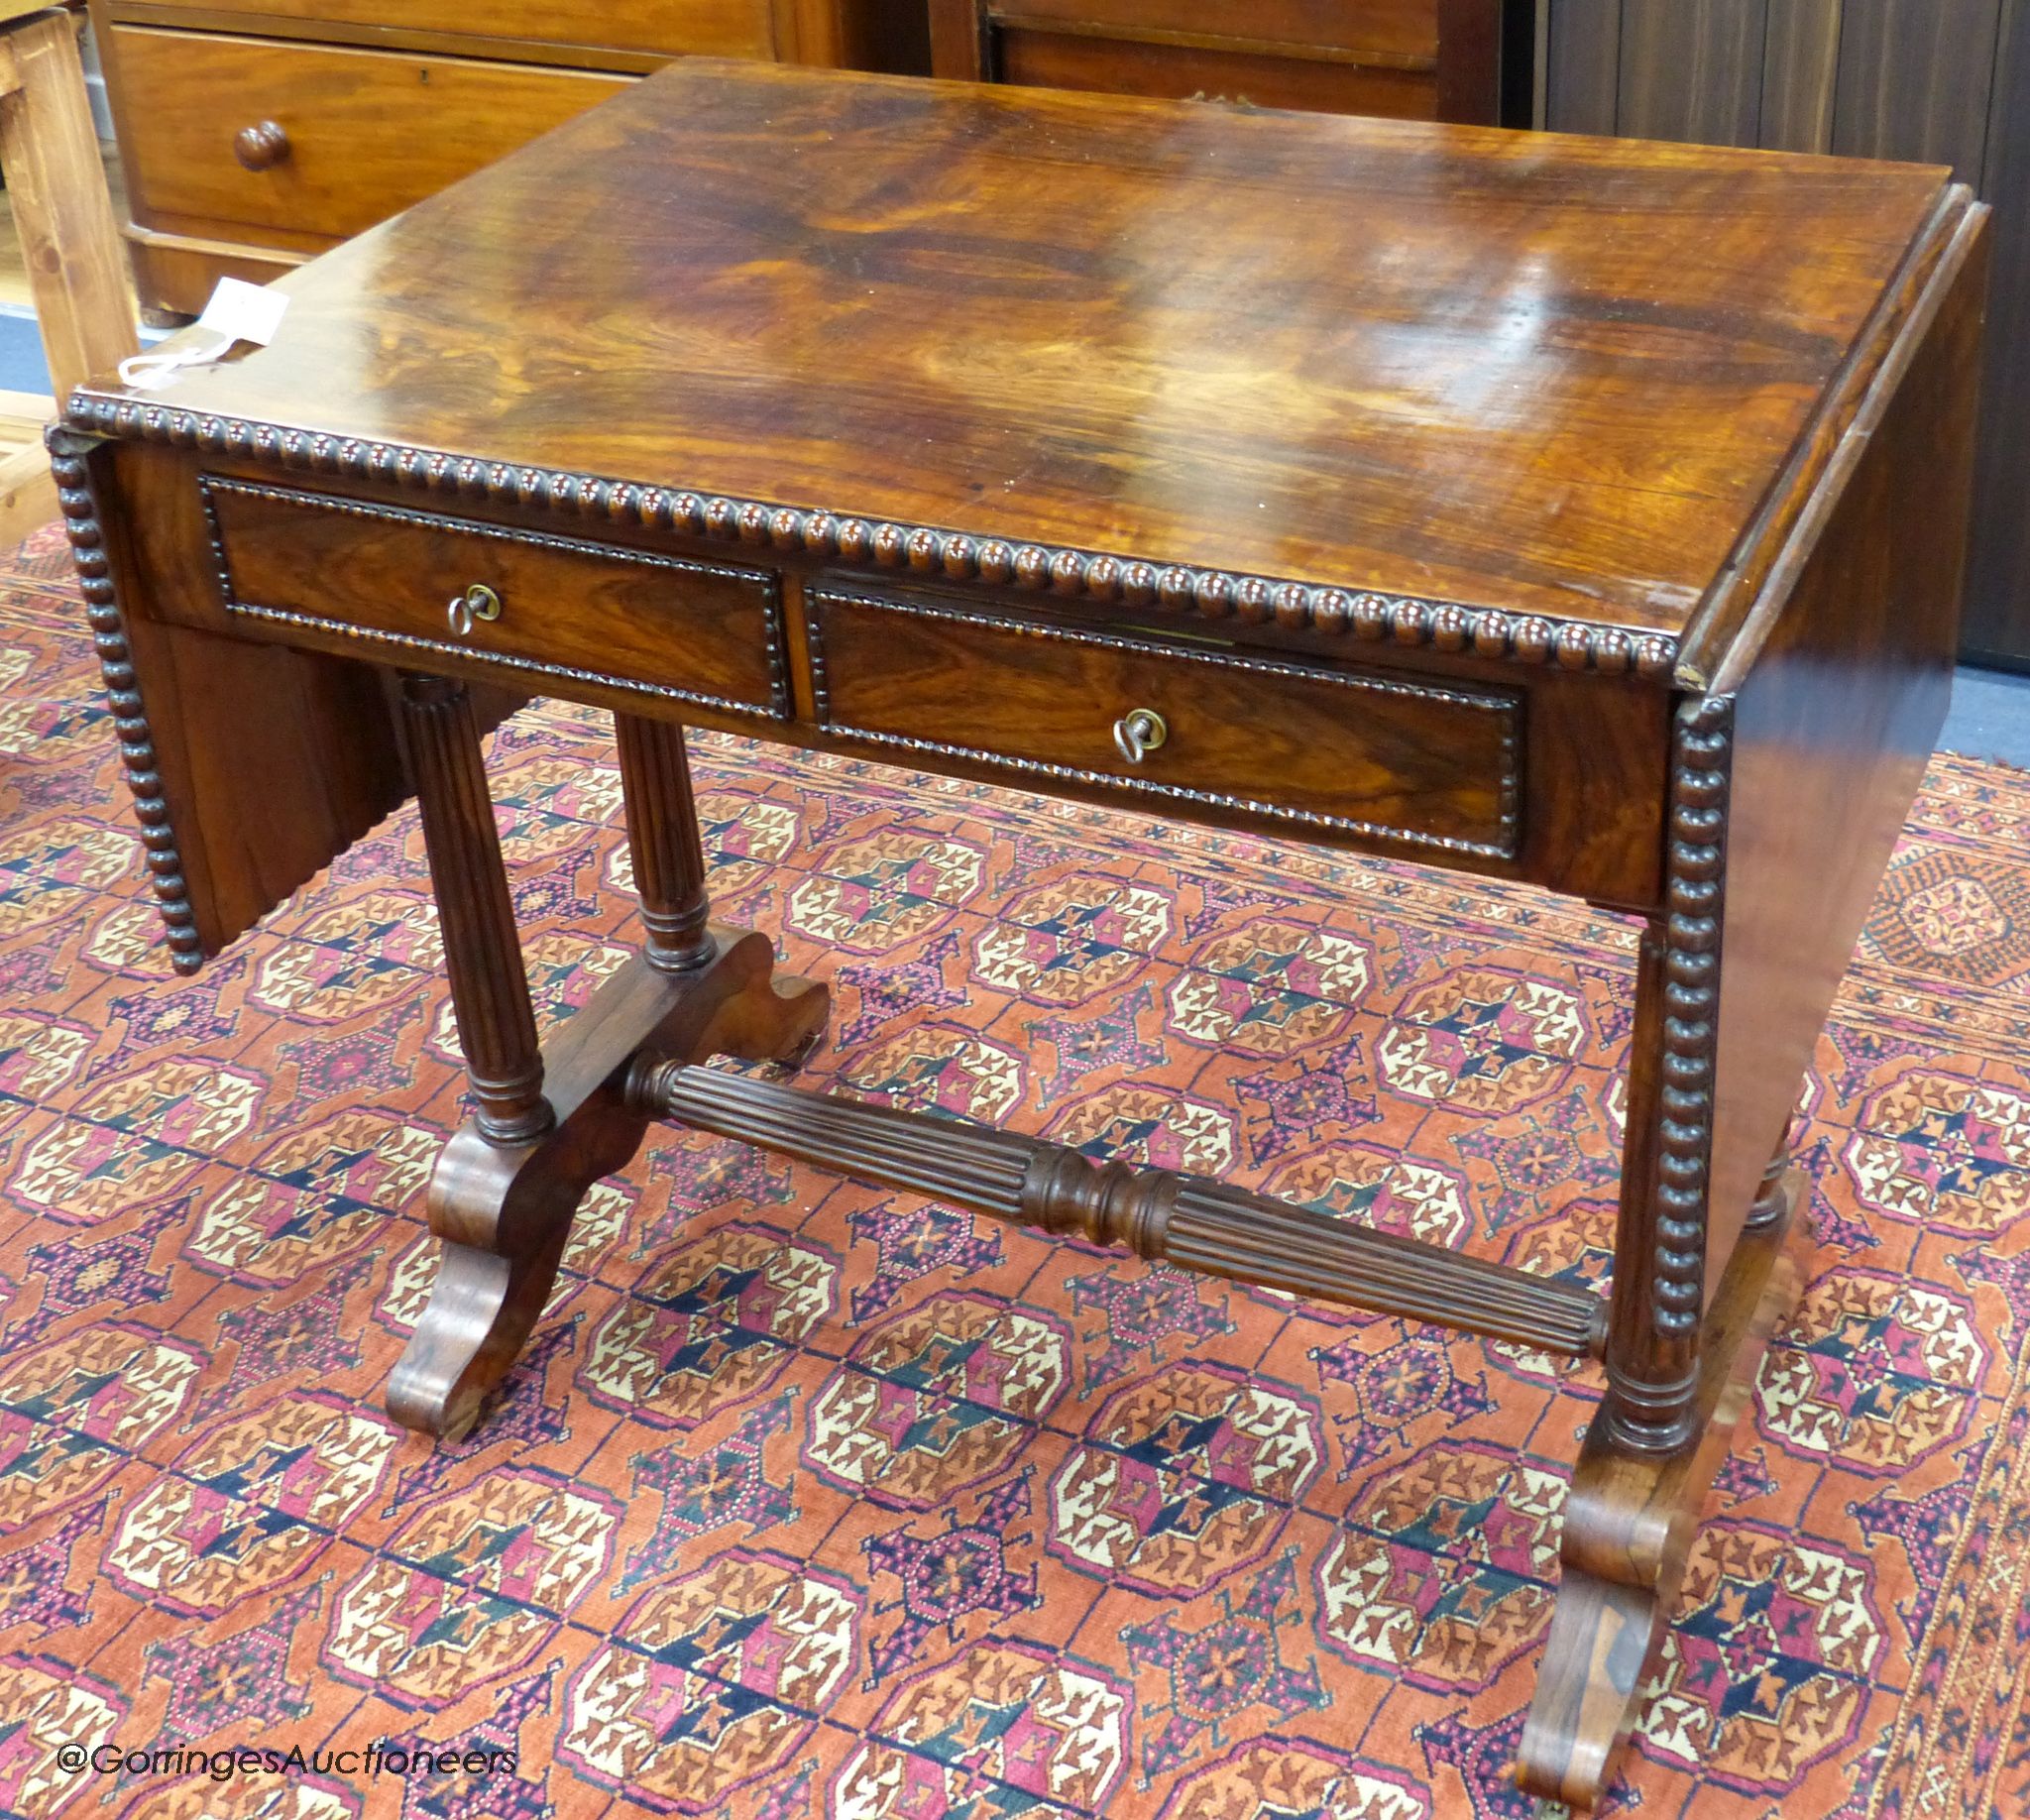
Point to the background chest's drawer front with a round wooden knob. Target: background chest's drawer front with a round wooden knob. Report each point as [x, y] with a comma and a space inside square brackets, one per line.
[364, 133]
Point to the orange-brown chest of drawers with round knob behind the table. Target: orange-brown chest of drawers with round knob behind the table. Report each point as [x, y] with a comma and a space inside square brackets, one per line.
[257, 133]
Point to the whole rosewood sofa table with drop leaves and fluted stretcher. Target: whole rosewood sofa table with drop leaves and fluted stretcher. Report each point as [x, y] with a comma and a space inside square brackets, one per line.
[1564, 511]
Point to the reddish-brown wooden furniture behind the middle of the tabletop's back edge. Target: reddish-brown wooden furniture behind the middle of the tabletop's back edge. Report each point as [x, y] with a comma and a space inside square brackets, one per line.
[1410, 60]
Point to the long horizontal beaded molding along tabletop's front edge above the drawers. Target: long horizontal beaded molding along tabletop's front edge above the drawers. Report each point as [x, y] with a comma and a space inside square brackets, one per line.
[929, 551]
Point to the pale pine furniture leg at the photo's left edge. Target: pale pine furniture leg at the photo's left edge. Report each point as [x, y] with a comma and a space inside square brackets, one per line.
[56, 190]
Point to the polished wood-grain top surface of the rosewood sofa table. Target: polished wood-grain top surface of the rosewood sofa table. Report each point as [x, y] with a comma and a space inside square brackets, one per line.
[1511, 371]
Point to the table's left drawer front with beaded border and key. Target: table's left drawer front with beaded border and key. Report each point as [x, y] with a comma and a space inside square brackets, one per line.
[387, 578]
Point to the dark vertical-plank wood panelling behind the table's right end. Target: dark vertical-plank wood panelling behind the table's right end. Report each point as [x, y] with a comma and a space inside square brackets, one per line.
[1944, 82]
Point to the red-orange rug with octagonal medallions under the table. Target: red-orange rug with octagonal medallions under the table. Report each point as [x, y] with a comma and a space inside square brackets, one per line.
[813, 1500]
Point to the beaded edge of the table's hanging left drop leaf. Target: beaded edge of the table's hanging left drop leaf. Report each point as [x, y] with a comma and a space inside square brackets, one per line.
[123, 694]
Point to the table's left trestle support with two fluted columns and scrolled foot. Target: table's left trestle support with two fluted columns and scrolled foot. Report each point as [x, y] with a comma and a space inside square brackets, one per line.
[511, 1179]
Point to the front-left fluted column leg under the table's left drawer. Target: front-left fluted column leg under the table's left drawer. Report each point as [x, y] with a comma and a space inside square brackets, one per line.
[482, 948]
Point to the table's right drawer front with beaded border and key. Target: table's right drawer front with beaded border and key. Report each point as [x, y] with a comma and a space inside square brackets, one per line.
[1325, 753]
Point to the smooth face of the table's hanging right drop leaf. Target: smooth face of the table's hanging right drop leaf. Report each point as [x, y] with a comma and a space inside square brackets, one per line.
[1842, 681]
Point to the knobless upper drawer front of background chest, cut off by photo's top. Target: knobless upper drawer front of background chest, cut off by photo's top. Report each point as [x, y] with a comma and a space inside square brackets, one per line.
[642, 27]
